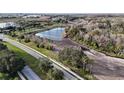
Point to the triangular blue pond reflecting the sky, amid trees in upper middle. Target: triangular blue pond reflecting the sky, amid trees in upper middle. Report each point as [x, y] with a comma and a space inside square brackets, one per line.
[52, 34]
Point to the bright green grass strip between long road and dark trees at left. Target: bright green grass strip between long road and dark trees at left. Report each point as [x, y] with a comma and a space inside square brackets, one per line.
[30, 60]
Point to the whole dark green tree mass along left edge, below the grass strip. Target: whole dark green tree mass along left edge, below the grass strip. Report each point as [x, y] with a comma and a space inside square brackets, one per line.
[10, 63]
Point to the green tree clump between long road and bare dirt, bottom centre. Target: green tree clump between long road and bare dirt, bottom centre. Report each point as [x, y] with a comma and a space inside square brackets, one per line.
[76, 61]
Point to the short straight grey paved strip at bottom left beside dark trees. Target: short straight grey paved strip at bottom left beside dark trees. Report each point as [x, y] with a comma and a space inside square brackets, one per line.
[30, 74]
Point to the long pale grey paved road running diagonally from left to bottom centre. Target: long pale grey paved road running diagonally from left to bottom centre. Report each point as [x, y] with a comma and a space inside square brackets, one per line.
[68, 74]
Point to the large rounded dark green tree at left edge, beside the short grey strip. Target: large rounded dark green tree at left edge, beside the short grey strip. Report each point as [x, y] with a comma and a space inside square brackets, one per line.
[10, 64]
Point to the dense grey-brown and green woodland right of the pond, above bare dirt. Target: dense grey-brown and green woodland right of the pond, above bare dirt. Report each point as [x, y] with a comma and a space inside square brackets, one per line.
[103, 34]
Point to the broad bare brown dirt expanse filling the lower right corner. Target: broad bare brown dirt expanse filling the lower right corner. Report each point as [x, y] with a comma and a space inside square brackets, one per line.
[106, 67]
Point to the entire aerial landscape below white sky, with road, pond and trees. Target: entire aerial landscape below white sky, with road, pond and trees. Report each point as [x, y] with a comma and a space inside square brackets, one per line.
[44, 46]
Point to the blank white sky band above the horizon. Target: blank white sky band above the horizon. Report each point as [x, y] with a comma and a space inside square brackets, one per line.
[61, 6]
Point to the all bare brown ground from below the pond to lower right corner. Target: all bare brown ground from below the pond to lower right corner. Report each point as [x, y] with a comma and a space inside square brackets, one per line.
[104, 67]
